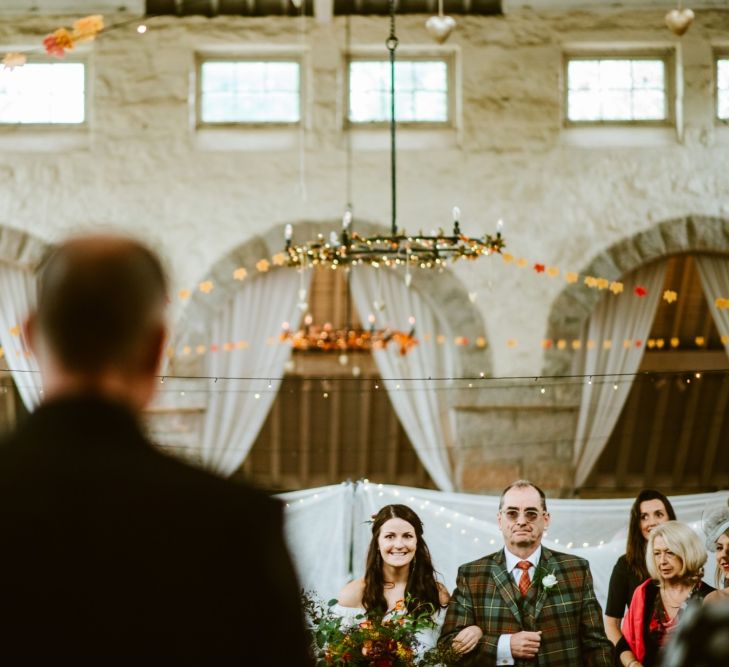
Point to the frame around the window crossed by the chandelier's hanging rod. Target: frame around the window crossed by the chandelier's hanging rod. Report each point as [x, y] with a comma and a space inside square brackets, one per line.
[448, 57]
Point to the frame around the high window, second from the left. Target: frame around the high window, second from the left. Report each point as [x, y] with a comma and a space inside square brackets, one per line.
[257, 57]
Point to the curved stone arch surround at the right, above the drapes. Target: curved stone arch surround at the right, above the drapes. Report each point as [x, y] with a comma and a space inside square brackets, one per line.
[575, 303]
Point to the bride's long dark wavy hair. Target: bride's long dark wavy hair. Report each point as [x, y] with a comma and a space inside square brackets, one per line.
[421, 587]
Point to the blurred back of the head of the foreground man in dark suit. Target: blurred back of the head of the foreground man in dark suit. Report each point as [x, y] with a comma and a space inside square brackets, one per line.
[101, 302]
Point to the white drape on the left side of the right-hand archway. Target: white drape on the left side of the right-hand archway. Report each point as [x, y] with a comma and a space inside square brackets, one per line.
[616, 320]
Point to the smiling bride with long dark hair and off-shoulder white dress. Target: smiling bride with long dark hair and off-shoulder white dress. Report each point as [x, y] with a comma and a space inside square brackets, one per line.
[398, 572]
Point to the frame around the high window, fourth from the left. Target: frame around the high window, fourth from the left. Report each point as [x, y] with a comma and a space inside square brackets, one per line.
[669, 63]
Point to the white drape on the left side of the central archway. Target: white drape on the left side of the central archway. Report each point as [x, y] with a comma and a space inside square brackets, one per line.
[237, 407]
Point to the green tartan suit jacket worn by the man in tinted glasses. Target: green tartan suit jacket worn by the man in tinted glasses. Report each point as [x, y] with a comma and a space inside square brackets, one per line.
[568, 614]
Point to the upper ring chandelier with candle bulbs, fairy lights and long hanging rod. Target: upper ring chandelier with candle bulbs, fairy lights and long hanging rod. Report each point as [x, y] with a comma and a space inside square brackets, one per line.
[349, 248]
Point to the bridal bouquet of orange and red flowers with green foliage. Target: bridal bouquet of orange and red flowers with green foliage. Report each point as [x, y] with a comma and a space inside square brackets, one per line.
[390, 641]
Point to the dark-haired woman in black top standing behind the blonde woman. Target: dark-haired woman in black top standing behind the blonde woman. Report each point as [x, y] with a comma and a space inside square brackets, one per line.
[650, 509]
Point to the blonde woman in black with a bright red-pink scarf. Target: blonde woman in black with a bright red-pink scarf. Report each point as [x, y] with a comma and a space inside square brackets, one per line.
[675, 559]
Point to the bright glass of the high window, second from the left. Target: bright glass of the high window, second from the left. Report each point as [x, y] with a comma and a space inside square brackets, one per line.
[250, 92]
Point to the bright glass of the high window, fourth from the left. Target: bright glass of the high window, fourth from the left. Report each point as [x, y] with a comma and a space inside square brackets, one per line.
[616, 89]
